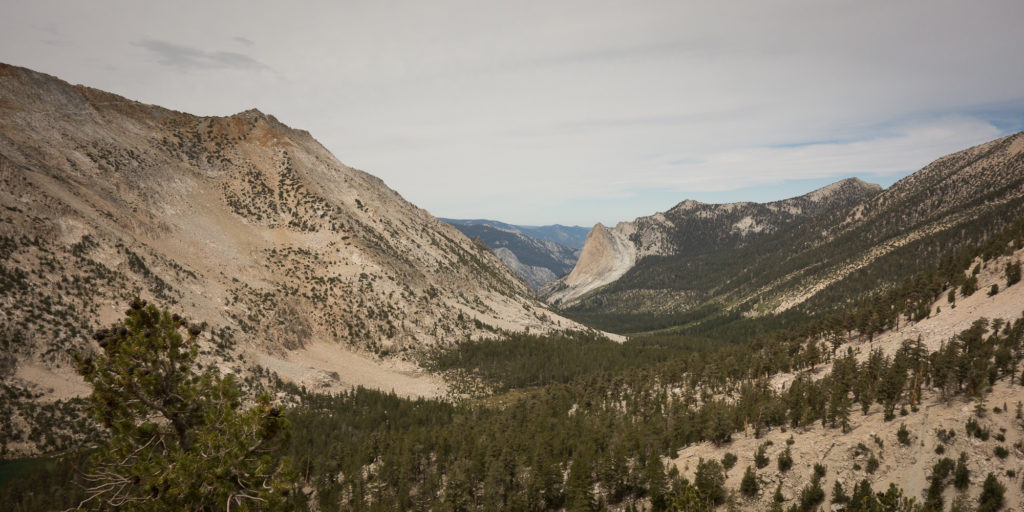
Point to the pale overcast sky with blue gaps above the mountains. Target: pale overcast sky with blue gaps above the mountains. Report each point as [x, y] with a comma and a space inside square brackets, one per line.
[572, 113]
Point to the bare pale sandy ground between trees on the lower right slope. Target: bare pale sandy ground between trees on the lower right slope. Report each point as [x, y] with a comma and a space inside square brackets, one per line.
[937, 429]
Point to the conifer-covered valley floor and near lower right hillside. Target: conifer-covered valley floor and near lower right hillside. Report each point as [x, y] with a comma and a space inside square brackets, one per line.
[577, 422]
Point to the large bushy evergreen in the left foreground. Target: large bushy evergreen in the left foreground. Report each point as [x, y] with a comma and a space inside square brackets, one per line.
[180, 440]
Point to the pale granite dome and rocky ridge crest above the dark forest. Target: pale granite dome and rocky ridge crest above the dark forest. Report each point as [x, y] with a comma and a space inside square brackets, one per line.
[694, 229]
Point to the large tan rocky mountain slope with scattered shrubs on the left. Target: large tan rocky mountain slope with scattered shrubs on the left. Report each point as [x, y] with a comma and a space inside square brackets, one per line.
[291, 260]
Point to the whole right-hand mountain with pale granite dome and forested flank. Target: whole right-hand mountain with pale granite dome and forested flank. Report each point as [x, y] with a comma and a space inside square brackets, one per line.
[794, 255]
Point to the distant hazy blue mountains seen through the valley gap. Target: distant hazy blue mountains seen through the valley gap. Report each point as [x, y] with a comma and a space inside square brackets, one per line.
[538, 262]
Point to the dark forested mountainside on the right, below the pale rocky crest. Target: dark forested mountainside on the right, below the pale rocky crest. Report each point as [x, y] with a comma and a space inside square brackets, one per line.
[819, 263]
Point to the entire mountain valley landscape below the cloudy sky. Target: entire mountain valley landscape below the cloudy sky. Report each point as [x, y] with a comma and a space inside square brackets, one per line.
[854, 349]
